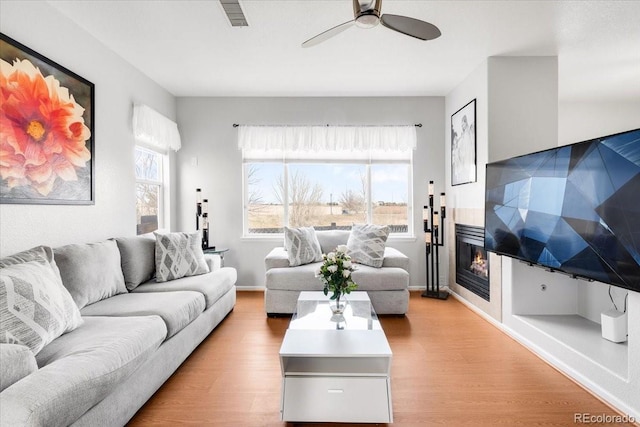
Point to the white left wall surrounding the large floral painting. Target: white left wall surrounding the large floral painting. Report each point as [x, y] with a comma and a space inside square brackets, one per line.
[117, 86]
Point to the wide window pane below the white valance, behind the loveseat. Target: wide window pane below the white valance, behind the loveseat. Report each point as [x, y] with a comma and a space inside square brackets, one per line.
[326, 195]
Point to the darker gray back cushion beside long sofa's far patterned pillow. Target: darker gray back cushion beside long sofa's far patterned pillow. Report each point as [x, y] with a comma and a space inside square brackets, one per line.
[138, 258]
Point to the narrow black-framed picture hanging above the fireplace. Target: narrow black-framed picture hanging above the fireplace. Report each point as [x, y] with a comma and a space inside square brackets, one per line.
[463, 145]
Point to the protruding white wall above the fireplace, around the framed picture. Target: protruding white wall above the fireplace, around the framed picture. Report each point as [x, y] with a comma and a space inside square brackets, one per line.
[514, 96]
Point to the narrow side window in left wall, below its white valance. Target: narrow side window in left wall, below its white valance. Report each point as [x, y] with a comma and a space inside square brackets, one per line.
[150, 190]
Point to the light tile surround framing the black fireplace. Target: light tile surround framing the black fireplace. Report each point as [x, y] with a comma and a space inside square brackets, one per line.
[493, 307]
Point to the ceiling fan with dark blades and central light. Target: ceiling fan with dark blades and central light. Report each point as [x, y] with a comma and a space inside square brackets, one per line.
[367, 15]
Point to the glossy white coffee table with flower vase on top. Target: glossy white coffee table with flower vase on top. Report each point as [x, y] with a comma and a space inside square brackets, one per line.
[335, 369]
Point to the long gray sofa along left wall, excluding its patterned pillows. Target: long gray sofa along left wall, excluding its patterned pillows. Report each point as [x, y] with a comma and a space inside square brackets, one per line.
[133, 335]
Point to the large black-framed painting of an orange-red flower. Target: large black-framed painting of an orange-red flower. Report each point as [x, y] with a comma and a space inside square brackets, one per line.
[46, 122]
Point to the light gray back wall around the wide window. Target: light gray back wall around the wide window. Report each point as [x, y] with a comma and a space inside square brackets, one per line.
[208, 136]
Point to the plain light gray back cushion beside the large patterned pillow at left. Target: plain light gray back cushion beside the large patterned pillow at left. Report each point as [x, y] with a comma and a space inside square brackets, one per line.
[90, 271]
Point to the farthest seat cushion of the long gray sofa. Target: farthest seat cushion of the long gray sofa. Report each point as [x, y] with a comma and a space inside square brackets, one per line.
[212, 285]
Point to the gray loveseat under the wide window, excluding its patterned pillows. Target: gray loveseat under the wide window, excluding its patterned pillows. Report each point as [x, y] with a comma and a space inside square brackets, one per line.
[388, 286]
